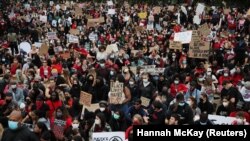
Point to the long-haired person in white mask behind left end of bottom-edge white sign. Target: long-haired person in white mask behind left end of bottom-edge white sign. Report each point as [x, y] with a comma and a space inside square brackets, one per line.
[100, 125]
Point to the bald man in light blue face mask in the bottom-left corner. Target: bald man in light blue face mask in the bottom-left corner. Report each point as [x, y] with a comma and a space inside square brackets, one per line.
[16, 131]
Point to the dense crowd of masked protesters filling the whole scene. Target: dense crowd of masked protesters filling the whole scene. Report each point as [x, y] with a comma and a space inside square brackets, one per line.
[37, 90]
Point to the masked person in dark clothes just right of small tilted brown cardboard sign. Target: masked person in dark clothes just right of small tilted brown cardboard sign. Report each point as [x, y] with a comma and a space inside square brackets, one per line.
[104, 109]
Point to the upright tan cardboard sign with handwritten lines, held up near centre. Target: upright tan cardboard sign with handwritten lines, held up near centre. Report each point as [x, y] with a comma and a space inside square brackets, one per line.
[116, 93]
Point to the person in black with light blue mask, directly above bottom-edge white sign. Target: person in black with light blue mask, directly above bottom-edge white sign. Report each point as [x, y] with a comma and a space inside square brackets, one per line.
[118, 121]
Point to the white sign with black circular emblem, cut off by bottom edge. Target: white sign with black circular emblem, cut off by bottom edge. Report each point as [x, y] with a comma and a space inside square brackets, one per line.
[108, 136]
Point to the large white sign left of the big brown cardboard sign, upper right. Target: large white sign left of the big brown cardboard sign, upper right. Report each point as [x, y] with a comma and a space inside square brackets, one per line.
[183, 37]
